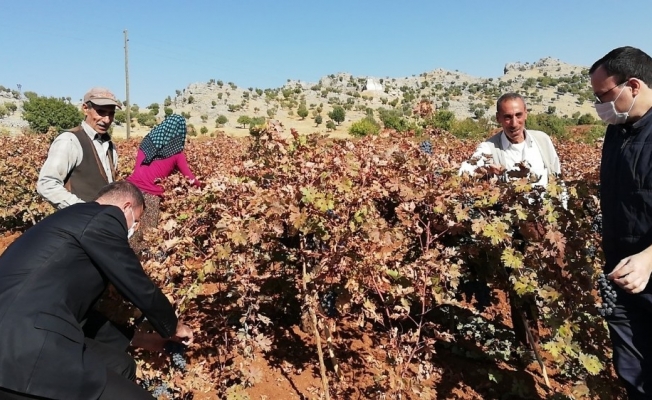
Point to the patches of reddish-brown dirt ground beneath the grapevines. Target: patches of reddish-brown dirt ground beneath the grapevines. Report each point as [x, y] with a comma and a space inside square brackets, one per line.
[290, 370]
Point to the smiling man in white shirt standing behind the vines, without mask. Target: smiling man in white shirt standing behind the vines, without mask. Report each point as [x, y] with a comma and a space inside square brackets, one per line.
[514, 144]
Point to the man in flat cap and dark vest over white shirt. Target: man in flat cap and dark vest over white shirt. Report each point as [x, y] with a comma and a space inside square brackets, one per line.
[82, 160]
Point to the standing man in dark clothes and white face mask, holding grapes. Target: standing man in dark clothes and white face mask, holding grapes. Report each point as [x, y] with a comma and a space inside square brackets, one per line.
[621, 81]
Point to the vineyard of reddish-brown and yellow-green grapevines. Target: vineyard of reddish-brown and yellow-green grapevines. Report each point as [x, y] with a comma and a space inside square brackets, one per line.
[313, 268]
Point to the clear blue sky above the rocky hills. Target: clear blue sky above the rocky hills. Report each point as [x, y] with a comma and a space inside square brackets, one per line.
[63, 47]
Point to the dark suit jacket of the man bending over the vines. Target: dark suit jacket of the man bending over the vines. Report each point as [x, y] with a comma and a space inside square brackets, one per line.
[50, 277]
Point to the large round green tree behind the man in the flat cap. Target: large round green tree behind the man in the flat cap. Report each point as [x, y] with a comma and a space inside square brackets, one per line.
[43, 112]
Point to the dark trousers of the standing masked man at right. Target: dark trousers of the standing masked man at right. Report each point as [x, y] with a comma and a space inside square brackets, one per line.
[629, 328]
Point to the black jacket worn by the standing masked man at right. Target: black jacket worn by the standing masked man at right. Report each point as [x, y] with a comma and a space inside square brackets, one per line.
[626, 190]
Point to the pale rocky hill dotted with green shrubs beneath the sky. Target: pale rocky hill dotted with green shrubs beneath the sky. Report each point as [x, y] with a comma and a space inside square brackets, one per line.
[549, 85]
